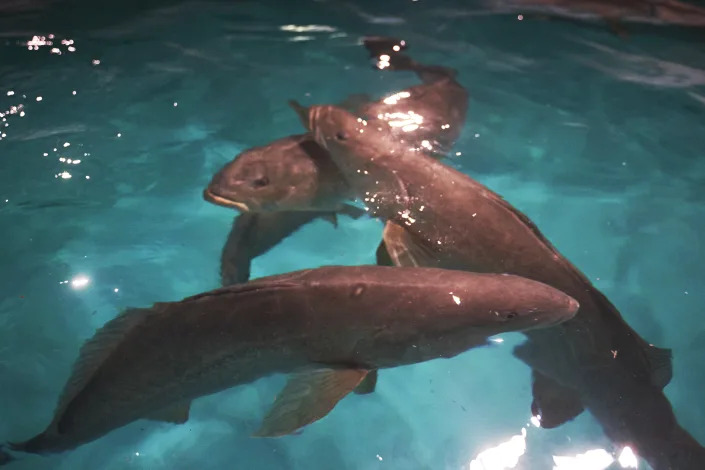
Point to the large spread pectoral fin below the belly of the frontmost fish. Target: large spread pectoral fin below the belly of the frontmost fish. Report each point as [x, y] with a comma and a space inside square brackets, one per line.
[307, 397]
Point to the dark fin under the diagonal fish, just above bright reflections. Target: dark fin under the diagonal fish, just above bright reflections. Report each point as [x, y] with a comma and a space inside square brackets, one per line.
[554, 404]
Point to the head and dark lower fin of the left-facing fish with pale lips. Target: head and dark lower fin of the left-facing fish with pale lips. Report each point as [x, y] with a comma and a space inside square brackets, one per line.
[273, 186]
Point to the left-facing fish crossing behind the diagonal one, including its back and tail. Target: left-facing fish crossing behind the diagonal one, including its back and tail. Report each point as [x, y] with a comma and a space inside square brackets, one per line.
[283, 180]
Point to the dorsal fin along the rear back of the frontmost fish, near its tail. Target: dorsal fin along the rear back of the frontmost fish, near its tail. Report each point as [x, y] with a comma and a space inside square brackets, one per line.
[97, 349]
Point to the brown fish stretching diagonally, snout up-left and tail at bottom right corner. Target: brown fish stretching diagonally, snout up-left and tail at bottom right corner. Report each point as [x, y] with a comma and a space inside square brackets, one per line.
[436, 216]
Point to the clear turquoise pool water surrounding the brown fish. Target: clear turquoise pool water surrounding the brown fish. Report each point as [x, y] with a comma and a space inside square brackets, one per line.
[598, 139]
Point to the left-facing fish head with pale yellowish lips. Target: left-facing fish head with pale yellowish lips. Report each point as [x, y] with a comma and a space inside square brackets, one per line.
[282, 175]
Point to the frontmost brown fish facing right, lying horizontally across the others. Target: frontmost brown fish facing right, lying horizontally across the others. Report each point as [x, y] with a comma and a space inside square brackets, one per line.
[325, 327]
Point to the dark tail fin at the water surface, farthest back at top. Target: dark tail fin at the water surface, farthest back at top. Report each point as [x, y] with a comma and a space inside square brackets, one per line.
[386, 53]
